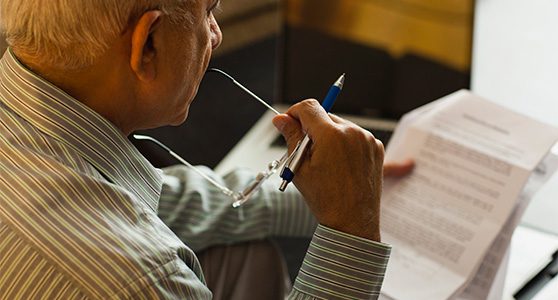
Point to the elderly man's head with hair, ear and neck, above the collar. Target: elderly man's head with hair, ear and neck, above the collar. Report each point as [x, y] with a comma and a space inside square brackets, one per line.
[127, 59]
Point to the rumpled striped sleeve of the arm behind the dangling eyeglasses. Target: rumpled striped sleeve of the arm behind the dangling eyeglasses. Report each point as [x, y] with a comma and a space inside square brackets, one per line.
[202, 216]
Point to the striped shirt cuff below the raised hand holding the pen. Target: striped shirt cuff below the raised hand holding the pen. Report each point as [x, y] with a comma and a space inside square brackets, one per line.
[340, 265]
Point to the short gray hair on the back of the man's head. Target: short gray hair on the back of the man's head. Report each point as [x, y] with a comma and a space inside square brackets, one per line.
[71, 34]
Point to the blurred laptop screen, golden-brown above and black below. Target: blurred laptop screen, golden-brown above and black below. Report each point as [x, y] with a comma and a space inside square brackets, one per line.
[397, 55]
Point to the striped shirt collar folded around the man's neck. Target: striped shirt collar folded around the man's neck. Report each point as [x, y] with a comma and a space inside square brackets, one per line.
[69, 121]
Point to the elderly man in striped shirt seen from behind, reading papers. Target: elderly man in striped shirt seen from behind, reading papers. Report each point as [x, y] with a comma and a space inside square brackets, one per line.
[84, 215]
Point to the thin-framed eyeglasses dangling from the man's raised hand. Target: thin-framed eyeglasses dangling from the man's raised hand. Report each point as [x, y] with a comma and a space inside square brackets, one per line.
[238, 197]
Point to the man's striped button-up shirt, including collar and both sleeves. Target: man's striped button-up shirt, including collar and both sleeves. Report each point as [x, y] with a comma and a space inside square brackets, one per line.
[83, 215]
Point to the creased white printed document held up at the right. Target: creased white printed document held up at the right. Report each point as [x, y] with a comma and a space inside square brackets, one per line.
[473, 158]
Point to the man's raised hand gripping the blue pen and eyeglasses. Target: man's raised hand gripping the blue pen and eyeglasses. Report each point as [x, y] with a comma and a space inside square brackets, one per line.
[341, 175]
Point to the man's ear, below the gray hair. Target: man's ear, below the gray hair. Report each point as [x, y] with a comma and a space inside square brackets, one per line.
[143, 52]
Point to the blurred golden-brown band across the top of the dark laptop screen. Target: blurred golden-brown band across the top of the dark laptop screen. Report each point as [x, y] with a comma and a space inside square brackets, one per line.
[440, 30]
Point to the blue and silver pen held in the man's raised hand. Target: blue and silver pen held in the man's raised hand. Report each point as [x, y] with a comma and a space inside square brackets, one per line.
[295, 159]
